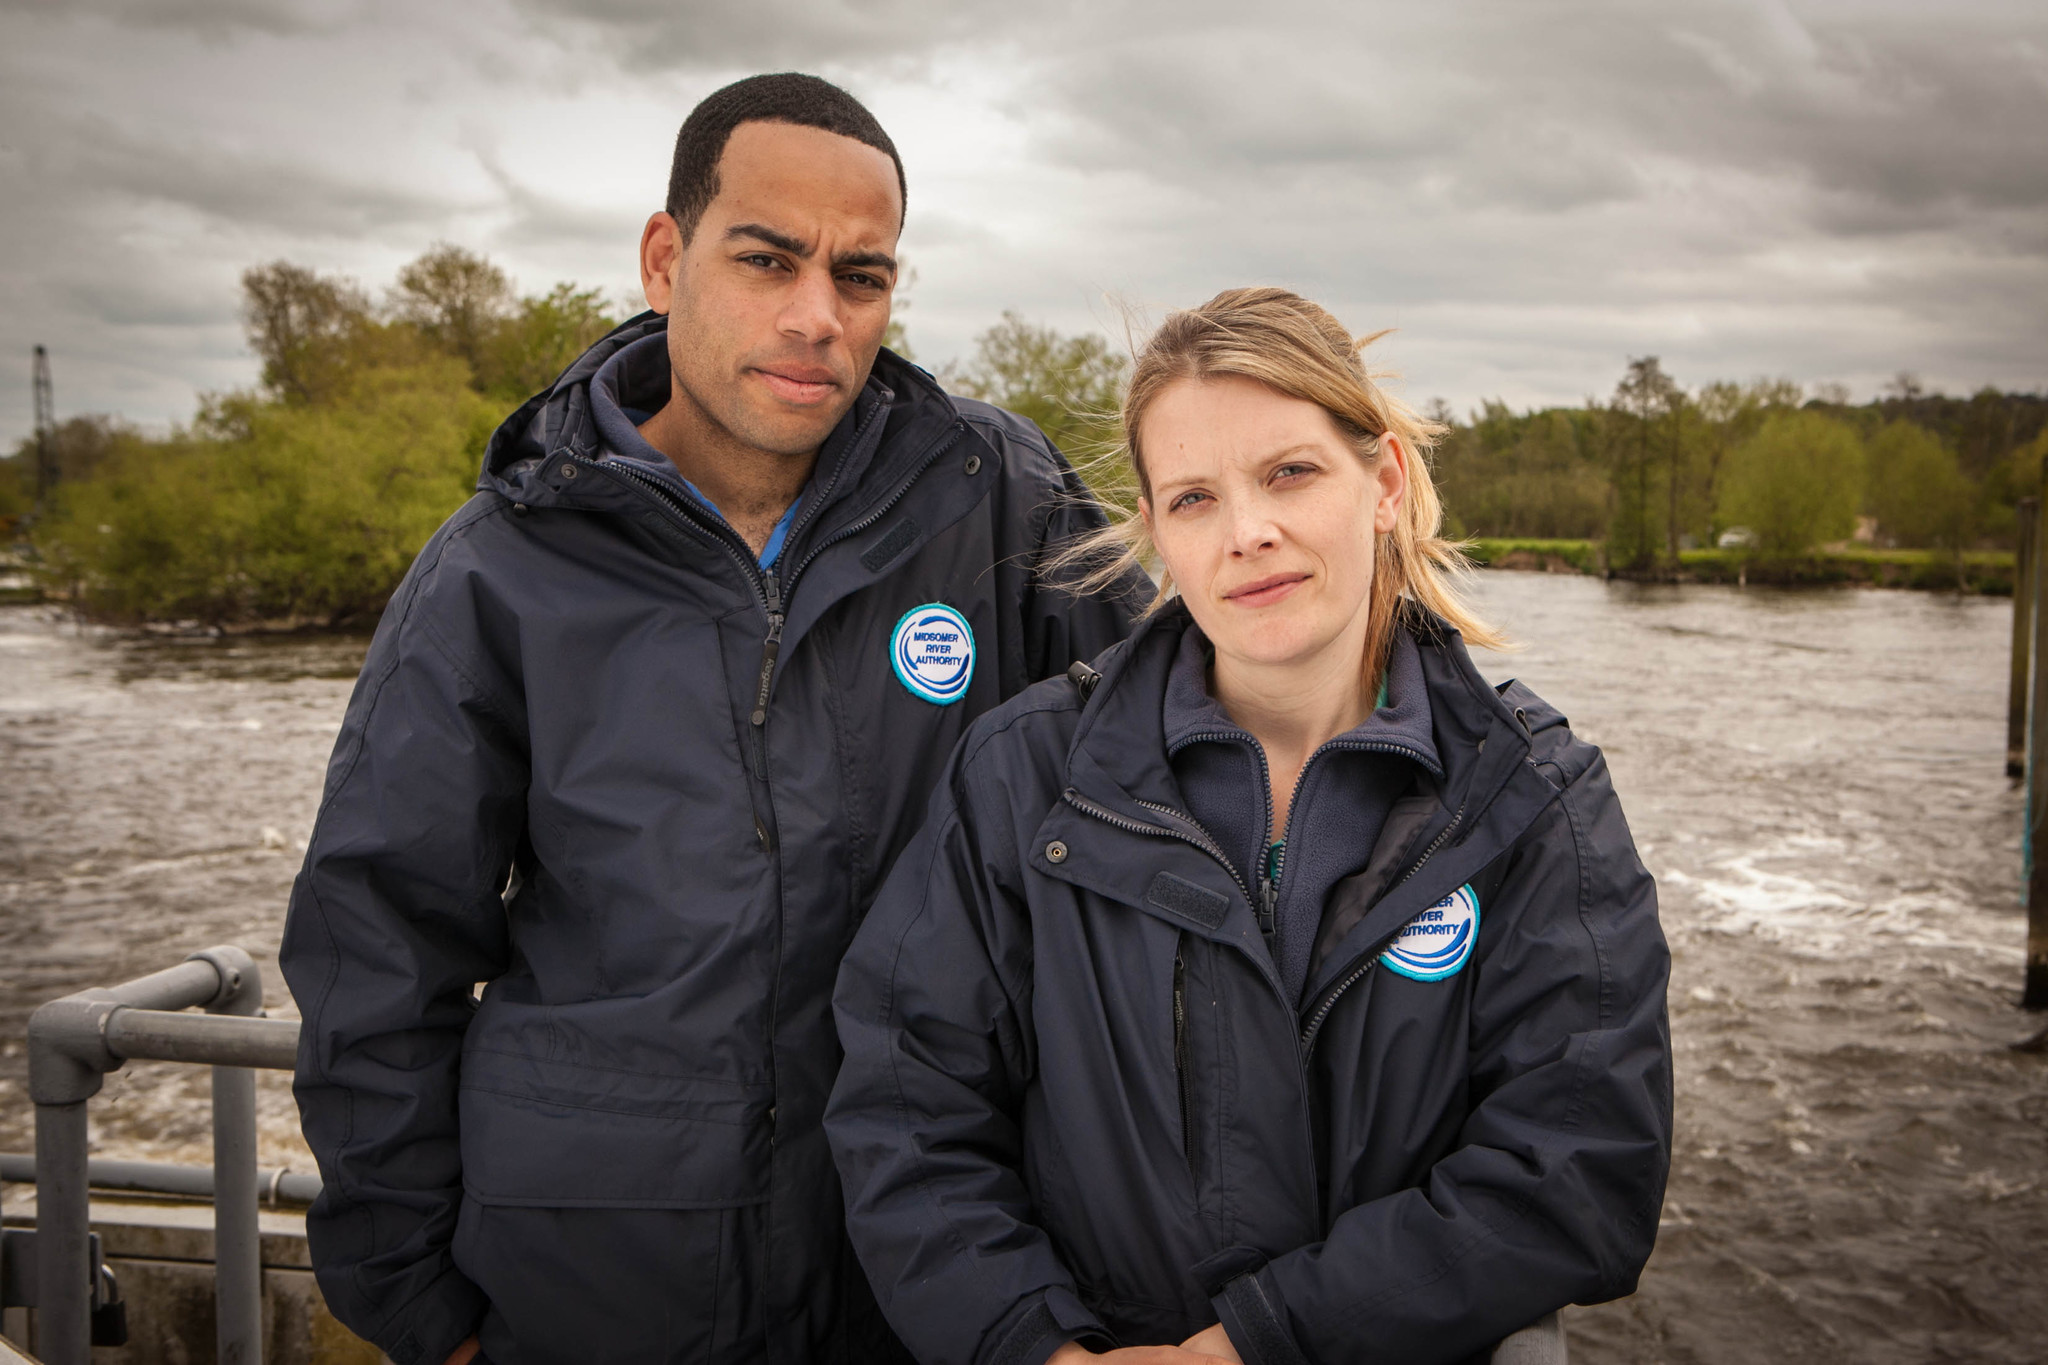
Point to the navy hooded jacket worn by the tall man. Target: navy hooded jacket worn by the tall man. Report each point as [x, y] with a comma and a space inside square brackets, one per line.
[605, 764]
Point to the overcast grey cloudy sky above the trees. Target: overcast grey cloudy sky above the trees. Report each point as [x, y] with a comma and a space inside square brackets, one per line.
[1531, 191]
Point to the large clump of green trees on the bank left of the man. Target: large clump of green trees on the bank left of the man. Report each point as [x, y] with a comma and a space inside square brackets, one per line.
[308, 500]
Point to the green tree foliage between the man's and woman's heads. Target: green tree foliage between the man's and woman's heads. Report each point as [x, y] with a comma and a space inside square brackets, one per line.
[1070, 386]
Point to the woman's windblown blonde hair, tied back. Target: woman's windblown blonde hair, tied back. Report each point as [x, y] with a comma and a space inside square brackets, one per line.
[1297, 349]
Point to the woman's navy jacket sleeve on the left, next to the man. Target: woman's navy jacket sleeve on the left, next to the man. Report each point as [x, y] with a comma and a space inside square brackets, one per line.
[933, 1012]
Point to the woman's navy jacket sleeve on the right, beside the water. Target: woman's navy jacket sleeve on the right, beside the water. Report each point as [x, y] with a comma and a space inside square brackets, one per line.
[1555, 1188]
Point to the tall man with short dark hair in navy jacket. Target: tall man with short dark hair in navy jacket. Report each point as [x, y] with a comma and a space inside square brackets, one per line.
[634, 748]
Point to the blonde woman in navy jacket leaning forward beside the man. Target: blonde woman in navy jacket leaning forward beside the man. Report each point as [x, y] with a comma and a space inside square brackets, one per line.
[1283, 992]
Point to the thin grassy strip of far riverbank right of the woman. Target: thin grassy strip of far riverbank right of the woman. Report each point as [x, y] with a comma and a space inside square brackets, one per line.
[1983, 572]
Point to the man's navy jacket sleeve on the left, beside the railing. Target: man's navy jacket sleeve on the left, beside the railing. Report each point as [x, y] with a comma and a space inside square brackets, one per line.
[392, 924]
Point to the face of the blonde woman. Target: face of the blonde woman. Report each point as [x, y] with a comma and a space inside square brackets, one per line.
[1265, 517]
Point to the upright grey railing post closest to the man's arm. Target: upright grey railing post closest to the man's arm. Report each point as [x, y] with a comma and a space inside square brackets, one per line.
[237, 1231]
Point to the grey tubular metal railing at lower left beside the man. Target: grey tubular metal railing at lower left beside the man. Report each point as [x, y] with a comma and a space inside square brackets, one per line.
[73, 1045]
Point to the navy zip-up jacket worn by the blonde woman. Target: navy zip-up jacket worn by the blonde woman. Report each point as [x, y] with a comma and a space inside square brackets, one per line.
[1076, 1102]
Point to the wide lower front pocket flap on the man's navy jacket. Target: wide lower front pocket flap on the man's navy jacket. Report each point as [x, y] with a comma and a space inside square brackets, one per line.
[550, 1133]
